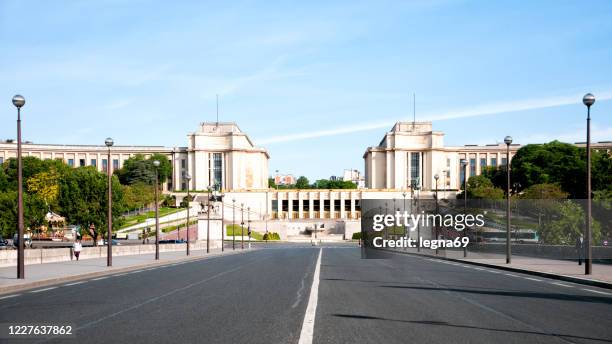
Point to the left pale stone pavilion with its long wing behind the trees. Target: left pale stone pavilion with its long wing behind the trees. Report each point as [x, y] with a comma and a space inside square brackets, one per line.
[217, 153]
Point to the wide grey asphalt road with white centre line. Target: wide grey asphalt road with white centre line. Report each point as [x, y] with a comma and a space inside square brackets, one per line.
[262, 296]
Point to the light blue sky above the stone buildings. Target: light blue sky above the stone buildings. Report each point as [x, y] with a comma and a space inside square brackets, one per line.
[313, 82]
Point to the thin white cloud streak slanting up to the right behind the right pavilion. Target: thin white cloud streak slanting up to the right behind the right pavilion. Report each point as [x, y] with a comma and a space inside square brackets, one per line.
[481, 110]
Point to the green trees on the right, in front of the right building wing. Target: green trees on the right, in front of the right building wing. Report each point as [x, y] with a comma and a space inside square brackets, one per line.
[548, 183]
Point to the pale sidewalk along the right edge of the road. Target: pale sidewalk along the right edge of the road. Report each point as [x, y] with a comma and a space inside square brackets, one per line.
[560, 269]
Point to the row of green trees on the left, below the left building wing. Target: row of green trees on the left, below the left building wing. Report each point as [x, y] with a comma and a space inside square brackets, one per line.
[78, 194]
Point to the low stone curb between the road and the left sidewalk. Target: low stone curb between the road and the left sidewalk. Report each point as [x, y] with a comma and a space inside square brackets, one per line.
[72, 278]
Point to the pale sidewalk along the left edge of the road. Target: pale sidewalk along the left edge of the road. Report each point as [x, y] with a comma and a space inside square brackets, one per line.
[38, 275]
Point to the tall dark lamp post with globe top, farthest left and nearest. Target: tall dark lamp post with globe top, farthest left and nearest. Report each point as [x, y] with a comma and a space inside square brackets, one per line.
[19, 102]
